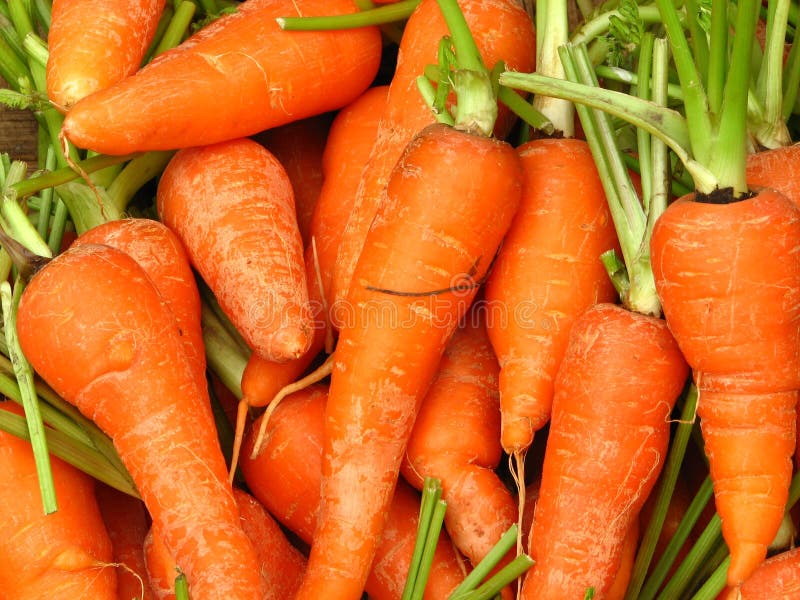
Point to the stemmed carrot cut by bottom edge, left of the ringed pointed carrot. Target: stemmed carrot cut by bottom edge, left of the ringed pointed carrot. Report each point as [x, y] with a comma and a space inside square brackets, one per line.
[609, 431]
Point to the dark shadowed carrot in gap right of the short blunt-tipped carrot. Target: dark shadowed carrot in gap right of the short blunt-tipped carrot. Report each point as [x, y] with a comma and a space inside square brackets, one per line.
[299, 147]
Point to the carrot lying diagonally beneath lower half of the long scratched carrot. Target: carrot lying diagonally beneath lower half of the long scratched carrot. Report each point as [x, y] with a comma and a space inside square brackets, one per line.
[286, 477]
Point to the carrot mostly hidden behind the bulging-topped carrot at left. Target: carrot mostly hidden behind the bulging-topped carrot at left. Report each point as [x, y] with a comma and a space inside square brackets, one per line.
[161, 254]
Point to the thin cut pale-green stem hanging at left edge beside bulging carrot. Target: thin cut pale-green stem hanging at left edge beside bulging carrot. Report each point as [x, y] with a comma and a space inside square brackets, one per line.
[24, 374]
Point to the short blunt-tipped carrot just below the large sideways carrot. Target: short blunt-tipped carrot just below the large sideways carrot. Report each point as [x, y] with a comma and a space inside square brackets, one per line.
[232, 206]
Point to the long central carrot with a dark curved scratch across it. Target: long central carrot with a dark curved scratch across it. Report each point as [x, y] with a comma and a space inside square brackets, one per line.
[449, 202]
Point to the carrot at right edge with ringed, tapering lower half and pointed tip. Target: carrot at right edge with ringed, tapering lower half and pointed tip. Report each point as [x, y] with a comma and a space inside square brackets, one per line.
[729, 281]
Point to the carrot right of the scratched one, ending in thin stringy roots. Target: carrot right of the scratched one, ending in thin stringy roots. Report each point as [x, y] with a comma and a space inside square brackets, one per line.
[546, 274]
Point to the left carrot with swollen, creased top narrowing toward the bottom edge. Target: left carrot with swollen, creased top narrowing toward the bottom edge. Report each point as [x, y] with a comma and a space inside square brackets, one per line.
[115, 352]
